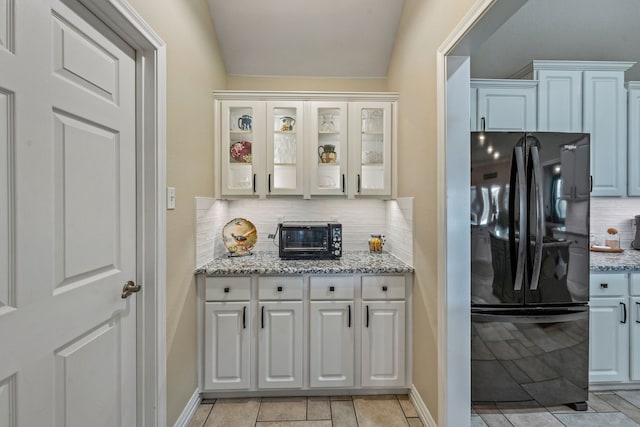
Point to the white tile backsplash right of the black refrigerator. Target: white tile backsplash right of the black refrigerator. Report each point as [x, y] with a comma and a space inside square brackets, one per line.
[616, 213]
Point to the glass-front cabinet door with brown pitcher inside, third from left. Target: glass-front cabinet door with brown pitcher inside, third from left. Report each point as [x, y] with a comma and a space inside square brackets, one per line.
[328, 156]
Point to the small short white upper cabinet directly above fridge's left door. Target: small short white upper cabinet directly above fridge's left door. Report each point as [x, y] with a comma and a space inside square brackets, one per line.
[503, 105]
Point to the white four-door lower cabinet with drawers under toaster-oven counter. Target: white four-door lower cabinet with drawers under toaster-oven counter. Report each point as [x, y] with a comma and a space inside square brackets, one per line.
[303, 332]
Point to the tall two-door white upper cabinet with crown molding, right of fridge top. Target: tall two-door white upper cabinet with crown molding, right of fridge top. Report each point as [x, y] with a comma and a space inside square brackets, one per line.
[589, 97]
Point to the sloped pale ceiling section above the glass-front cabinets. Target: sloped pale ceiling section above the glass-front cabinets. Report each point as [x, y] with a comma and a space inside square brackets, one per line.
[330, 38]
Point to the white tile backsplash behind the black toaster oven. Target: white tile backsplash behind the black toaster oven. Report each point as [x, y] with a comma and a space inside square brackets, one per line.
[359, 218]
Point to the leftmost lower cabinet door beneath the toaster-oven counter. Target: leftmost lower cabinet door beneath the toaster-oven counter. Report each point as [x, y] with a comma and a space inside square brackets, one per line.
[227, 345]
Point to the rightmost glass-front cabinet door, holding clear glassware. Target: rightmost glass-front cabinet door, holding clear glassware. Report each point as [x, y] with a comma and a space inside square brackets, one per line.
[370, 148]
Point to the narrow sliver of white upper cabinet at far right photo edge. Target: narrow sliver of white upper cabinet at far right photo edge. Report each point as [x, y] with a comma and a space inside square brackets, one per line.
[633, 138]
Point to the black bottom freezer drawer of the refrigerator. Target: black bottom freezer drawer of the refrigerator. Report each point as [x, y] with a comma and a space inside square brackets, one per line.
[530, 356]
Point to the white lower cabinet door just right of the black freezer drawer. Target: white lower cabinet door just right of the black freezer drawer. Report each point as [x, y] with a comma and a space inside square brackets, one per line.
[609, 340]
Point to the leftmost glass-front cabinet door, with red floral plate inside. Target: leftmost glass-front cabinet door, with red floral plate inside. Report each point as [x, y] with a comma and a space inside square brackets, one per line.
[242, 147]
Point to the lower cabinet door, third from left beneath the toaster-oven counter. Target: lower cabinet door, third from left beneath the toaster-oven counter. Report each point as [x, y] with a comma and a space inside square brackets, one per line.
[332, 343]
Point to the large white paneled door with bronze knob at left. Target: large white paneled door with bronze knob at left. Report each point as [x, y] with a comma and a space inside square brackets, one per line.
[67, 218]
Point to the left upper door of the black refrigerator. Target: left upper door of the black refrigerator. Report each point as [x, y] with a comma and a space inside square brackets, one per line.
[498, 195]
